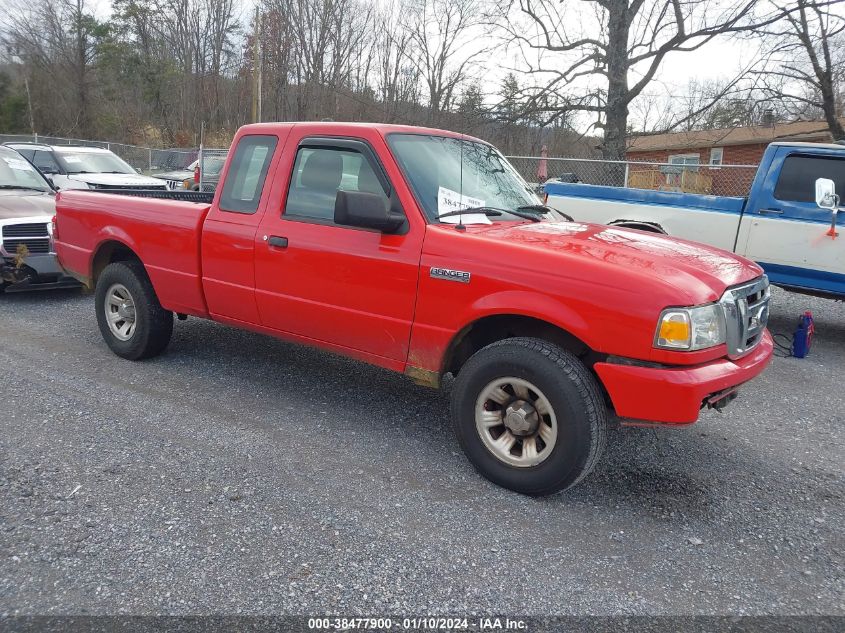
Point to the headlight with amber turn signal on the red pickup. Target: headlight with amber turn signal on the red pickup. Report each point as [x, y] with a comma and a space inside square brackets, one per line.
[691, 329]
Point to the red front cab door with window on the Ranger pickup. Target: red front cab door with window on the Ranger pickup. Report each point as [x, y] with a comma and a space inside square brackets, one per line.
[347, 288]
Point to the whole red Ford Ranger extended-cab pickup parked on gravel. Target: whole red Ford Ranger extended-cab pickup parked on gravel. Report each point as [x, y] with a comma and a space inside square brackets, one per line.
[424, 252]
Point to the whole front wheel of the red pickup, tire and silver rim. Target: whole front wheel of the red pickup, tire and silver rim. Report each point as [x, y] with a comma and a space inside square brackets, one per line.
[529, 415]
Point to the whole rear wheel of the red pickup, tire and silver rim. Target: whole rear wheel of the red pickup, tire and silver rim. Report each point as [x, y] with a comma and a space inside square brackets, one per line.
[131, 319]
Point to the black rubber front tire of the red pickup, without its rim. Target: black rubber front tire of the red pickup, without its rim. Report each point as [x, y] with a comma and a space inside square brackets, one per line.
[575, 399]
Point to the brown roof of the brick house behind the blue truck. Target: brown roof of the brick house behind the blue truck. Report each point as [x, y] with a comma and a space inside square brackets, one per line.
[797, 131]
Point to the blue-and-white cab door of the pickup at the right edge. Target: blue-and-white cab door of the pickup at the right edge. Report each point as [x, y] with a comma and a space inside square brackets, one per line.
[787, 233]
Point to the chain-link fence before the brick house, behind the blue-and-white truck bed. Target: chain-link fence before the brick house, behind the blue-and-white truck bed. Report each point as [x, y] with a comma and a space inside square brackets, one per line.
[717, 180]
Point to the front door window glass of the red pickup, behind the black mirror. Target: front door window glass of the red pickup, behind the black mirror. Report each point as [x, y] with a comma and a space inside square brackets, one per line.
[318, 174]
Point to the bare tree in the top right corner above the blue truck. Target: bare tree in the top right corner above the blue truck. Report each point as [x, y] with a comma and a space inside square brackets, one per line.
[805, 72]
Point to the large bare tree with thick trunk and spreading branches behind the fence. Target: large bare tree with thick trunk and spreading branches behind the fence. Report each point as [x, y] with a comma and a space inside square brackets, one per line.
[597, 56]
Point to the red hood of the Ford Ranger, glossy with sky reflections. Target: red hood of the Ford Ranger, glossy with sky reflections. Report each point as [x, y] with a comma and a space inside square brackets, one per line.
[701, 271]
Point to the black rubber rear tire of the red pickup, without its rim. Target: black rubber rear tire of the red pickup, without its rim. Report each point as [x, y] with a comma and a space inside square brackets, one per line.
[153, 324]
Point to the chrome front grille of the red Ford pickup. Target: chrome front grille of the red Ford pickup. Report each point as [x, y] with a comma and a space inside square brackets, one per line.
[746, 315]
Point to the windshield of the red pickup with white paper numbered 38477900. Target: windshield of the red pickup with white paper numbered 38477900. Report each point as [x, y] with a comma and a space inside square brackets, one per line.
[448, 174]
